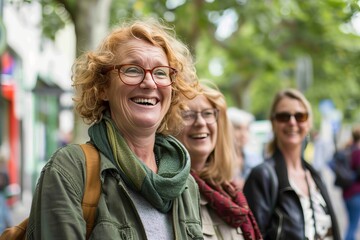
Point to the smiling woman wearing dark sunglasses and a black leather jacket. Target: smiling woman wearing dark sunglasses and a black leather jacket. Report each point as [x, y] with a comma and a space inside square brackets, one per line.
[287, 196]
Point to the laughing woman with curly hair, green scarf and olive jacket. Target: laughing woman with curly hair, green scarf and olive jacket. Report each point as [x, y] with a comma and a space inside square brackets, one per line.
[128, 89]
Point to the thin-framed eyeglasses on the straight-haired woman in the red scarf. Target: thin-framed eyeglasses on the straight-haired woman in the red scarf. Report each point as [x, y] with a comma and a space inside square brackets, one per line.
[209, 115]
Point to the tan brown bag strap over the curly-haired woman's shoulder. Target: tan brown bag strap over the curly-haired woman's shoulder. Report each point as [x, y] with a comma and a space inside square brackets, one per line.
[92, 186]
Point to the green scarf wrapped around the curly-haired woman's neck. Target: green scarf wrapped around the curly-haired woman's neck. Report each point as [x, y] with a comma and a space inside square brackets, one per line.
[159, 189]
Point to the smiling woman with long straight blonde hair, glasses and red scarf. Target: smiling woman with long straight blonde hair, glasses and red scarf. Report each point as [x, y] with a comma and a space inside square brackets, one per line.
[208, 138]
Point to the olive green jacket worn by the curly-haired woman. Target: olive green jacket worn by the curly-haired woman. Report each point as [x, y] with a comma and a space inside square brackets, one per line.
[56, 211]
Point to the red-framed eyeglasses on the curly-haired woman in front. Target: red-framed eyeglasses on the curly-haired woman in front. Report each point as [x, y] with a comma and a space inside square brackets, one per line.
[131, 74]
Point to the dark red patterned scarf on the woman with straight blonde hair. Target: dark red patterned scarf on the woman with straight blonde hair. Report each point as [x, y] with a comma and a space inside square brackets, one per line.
[230, 204]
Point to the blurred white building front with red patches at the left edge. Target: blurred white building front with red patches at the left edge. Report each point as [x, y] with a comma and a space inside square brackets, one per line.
[35, 90]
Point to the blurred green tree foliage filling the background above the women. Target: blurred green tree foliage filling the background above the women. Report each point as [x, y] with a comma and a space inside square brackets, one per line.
[251, 49]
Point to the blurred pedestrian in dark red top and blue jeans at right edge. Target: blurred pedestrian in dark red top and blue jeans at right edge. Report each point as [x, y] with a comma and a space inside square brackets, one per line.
[351, 194]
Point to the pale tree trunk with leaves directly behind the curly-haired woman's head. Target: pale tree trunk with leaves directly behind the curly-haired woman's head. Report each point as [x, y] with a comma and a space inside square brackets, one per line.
[91, 21]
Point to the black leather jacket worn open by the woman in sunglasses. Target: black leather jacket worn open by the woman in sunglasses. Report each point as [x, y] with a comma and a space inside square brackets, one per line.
[276, 205]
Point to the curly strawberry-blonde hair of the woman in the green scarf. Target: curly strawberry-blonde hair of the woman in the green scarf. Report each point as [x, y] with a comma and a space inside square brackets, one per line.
[89, 83]
